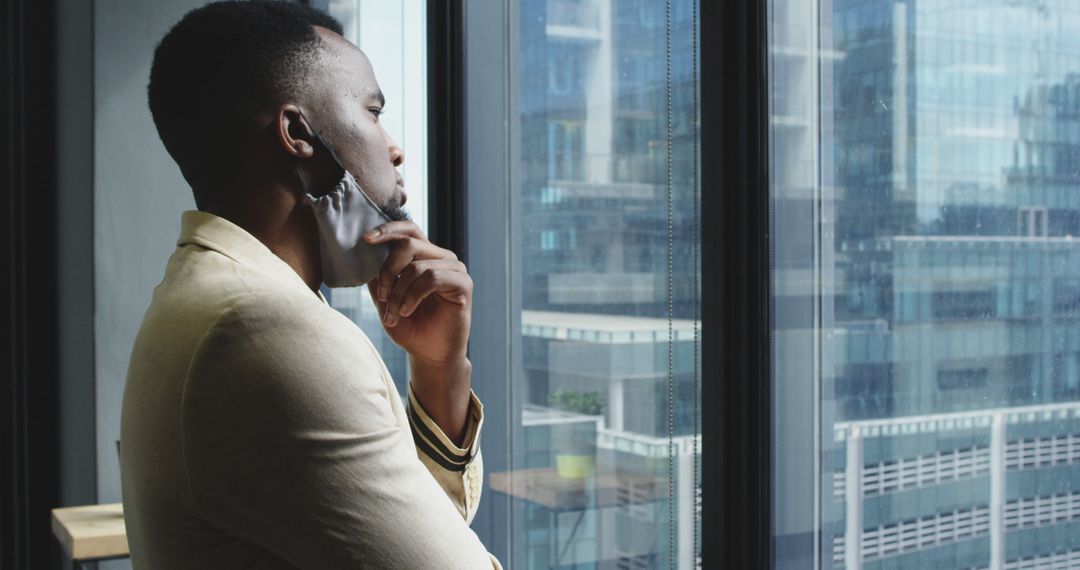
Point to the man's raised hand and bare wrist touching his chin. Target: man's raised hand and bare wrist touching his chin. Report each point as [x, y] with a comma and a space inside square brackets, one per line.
[424, 294]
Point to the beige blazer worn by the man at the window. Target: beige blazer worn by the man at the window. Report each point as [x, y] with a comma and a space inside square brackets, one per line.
[262, 430]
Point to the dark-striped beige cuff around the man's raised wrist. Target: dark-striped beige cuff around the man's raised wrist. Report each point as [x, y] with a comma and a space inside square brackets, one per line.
[434, 442]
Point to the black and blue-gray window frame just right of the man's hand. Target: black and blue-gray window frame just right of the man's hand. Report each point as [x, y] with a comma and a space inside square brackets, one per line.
[469, 99]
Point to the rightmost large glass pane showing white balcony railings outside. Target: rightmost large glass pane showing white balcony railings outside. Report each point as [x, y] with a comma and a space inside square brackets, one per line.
[926, 160]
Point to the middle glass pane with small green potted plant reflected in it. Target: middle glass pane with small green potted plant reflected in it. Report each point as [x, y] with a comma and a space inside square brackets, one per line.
[605, 456]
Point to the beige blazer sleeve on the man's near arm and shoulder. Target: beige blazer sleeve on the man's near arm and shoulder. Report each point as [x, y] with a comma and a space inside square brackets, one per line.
[291, 442]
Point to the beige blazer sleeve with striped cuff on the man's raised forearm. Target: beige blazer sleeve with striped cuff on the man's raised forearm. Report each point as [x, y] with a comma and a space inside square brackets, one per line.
[460, 471]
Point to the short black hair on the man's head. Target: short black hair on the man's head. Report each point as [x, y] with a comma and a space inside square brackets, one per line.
[219, 67]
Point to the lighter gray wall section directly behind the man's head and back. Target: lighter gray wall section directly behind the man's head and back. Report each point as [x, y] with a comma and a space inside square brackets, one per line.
[139, 197]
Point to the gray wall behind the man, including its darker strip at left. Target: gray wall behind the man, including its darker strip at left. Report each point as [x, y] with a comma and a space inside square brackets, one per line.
[120, 202]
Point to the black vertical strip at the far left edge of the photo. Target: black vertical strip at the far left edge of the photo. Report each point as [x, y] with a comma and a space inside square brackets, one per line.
[30, 413]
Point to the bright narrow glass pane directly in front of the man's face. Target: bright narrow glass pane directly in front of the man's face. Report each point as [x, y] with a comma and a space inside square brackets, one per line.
[394, 36]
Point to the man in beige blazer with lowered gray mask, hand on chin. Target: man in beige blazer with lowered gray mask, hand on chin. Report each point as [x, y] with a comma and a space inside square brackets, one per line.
[261, 428]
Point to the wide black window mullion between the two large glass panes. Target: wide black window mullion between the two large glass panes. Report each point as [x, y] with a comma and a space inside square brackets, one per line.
[736, 333]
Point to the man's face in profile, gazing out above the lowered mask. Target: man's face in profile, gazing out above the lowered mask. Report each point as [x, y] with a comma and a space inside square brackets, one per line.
[349, 104]
